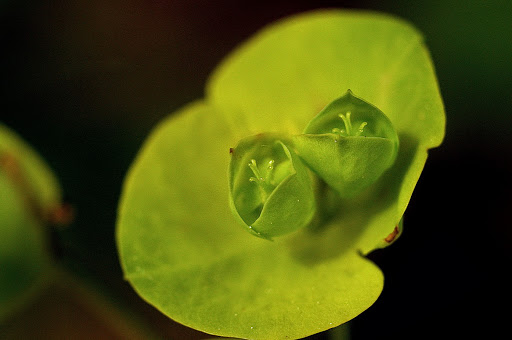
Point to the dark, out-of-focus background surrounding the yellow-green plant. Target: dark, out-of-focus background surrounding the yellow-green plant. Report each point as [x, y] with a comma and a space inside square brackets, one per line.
[84, 82]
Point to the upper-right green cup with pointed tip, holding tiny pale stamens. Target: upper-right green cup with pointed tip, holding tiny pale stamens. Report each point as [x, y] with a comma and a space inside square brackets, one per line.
[349, 144]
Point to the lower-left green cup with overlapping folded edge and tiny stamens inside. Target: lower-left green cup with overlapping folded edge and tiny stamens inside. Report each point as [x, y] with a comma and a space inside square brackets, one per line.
[271, 191]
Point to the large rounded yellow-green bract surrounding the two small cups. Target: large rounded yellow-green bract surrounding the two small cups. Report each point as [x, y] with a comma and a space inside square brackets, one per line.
[183, 249]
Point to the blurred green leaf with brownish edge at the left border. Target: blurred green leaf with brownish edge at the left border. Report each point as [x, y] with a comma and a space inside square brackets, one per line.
[29, 198]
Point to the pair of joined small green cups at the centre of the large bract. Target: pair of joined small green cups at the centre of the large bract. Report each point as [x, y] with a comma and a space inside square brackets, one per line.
[348, 145]
